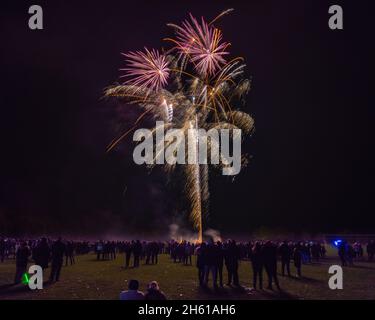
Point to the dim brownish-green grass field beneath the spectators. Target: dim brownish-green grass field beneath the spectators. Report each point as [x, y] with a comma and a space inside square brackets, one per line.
[91, 279]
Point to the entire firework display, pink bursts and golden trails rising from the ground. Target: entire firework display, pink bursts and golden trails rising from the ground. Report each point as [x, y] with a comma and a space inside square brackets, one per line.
[193, 85]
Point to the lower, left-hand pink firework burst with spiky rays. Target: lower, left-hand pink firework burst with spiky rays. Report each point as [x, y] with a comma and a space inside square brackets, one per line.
[148, 69]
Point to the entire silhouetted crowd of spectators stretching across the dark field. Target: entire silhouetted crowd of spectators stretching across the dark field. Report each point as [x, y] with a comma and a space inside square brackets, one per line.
[212, 258]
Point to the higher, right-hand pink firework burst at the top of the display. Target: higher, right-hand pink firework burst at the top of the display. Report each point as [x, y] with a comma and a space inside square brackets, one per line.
[203, 44]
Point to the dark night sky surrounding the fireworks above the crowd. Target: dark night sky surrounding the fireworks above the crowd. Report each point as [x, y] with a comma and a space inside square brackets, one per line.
[313, 155]
